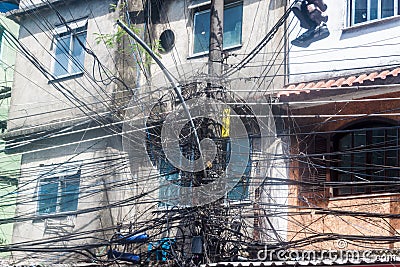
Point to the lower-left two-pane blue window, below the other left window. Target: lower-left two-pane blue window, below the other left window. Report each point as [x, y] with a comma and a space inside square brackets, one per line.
[59, 193]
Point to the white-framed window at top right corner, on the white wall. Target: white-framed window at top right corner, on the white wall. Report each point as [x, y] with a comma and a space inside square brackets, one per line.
[366, 10]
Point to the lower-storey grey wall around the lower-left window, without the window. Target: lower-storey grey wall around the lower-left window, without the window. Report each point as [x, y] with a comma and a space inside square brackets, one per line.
[104, 181]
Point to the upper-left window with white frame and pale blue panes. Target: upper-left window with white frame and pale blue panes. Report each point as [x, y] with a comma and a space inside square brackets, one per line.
[69, 49]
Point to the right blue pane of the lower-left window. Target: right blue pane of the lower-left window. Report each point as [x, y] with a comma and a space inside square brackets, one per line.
[69, 193]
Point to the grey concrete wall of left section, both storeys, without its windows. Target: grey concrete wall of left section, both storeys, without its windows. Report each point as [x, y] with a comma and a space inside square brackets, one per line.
[38, 101]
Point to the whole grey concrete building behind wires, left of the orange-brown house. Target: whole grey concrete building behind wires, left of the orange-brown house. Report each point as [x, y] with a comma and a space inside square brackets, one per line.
[74, 77]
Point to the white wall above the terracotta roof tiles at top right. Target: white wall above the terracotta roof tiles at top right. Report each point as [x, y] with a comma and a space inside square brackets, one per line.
[348, 49]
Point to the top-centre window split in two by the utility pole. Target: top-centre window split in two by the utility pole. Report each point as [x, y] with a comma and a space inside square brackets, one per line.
[232, 28]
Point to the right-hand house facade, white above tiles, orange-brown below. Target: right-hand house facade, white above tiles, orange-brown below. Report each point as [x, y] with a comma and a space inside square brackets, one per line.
[341, 111]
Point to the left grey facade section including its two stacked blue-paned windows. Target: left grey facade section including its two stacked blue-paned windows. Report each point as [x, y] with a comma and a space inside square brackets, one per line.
[63, 120]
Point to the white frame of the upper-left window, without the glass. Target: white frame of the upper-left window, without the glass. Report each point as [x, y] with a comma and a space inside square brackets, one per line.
[71, 29]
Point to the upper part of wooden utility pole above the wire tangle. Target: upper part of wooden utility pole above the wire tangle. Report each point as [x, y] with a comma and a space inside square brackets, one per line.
[215, 58]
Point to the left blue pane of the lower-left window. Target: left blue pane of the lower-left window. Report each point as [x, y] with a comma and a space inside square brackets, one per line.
[48, 196]
